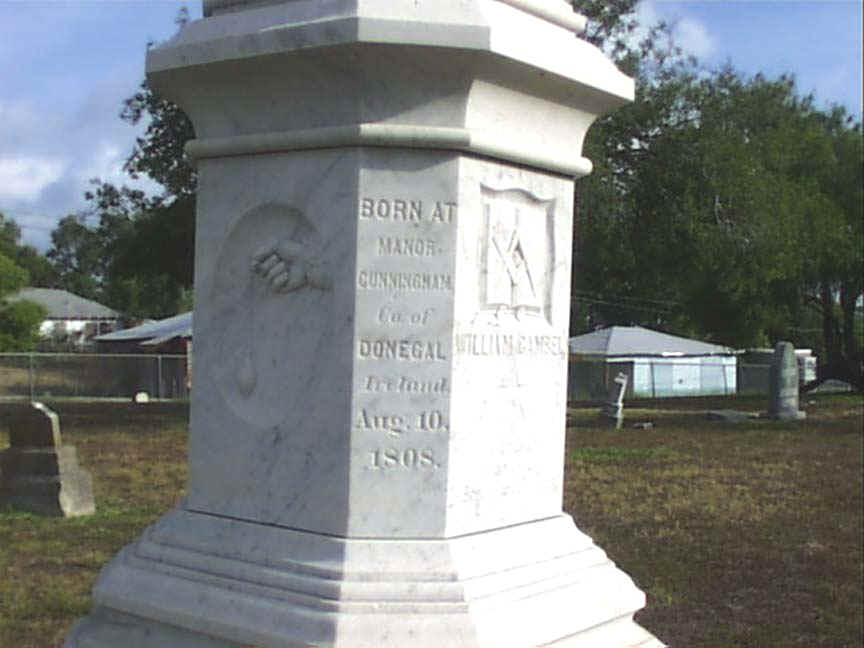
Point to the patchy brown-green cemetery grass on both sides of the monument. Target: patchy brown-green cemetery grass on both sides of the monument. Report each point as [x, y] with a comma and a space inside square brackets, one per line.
[741, 535]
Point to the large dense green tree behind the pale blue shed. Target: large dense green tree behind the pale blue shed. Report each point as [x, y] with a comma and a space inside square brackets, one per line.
[723, 207]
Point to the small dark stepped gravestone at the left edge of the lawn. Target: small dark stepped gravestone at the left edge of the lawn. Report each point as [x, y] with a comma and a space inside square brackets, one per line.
[38, 473]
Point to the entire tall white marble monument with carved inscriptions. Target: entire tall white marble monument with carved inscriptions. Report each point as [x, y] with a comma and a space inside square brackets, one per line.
[382, 280]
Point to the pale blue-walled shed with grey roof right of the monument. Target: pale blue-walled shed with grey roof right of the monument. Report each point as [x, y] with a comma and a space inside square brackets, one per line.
[657, 364]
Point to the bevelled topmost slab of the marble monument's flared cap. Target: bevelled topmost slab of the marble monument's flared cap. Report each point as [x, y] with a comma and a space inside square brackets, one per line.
[508, 30]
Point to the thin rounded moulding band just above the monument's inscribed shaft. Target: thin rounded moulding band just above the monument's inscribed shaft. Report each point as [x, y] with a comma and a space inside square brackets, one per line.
[390, 136]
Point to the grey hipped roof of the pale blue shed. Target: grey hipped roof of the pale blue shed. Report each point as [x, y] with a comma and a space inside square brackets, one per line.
[638, 341]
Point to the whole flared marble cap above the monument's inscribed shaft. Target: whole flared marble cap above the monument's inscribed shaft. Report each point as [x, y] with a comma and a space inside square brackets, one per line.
[478, 68]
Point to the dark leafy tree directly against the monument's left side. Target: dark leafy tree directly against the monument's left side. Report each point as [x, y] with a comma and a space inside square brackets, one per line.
[139, 258]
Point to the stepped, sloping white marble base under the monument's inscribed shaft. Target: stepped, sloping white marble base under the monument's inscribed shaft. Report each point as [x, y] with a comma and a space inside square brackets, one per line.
[201, 581]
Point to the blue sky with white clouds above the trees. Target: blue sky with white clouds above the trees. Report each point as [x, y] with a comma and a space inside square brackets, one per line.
[67, 65]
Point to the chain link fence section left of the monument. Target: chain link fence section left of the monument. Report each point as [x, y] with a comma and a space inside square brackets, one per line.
[35, 376]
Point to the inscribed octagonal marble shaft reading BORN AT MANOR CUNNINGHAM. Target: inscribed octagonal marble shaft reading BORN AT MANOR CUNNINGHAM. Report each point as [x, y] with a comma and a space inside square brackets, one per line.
[426, 366]
